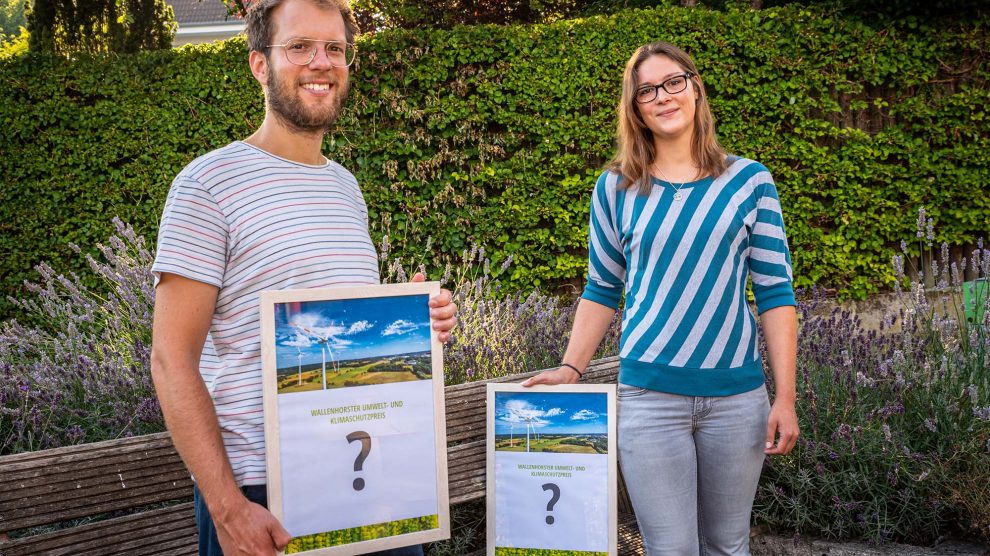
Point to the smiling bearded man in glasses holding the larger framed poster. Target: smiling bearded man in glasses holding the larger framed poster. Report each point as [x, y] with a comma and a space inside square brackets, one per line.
[269, 212]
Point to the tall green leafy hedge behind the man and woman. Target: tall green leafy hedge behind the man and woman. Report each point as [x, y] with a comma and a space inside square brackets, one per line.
[494, 135]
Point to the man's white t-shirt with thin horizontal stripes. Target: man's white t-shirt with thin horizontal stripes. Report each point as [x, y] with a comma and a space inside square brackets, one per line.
[246, 221]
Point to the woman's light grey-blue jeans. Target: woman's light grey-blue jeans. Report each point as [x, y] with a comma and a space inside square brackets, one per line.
[692, 465]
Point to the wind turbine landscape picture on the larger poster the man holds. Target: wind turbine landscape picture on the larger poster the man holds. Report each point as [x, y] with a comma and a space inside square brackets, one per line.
[321, 345]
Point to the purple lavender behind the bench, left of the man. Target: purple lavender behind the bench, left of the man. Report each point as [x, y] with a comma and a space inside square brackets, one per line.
[81, 374]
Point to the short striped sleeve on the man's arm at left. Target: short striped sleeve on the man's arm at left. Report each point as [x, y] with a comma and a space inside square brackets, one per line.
[192, 235]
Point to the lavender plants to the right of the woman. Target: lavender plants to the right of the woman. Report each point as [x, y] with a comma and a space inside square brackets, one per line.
[895, 421]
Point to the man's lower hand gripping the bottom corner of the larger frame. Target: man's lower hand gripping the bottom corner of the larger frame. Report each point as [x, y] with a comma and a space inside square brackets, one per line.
[249, 529]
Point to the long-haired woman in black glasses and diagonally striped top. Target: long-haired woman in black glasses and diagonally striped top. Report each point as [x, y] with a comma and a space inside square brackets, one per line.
[678, 226]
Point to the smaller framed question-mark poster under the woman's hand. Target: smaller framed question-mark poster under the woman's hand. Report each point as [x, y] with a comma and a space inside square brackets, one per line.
[551, 470]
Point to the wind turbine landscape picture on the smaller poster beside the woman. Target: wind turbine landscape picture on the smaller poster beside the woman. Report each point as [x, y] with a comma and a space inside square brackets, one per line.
[564, 422]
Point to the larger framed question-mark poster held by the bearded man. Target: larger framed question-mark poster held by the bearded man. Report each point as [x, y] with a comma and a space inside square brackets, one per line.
[354, 417]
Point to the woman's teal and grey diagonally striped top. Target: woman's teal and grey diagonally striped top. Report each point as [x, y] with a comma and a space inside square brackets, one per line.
[683, 266]
